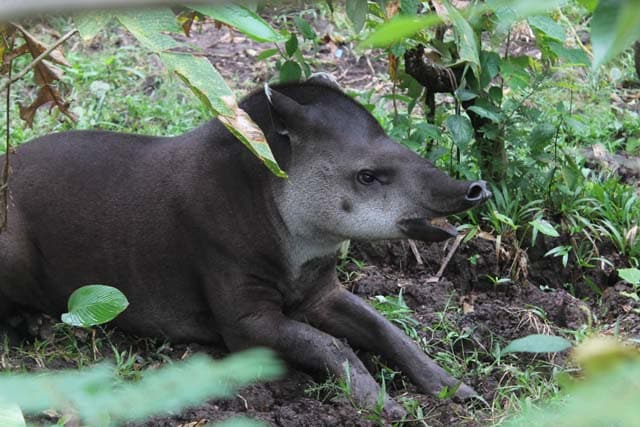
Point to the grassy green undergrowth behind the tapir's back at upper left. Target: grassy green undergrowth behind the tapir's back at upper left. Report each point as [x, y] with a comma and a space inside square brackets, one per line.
[112, 87]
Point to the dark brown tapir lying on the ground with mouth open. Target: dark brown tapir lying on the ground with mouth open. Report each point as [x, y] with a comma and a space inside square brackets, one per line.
[208, 245]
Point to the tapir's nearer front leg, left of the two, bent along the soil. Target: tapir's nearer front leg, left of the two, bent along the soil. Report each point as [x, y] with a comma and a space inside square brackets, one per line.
[261, 323]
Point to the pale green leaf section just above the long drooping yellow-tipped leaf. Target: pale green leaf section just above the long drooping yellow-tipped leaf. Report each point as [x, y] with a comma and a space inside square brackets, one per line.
[149, 26]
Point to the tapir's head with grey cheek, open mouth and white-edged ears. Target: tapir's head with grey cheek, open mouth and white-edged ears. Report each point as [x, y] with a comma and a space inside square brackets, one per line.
[349, 180]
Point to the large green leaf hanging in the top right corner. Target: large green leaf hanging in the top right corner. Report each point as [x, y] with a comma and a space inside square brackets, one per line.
[614, 27]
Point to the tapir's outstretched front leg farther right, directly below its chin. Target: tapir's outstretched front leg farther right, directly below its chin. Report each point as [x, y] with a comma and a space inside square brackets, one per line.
[342, 314]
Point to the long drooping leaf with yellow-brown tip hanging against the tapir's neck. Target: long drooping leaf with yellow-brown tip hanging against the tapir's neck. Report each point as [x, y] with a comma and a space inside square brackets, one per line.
[205, 81]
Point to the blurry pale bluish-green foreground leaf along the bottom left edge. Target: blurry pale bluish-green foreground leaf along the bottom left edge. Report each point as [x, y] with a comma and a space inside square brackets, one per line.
[92, 395]
